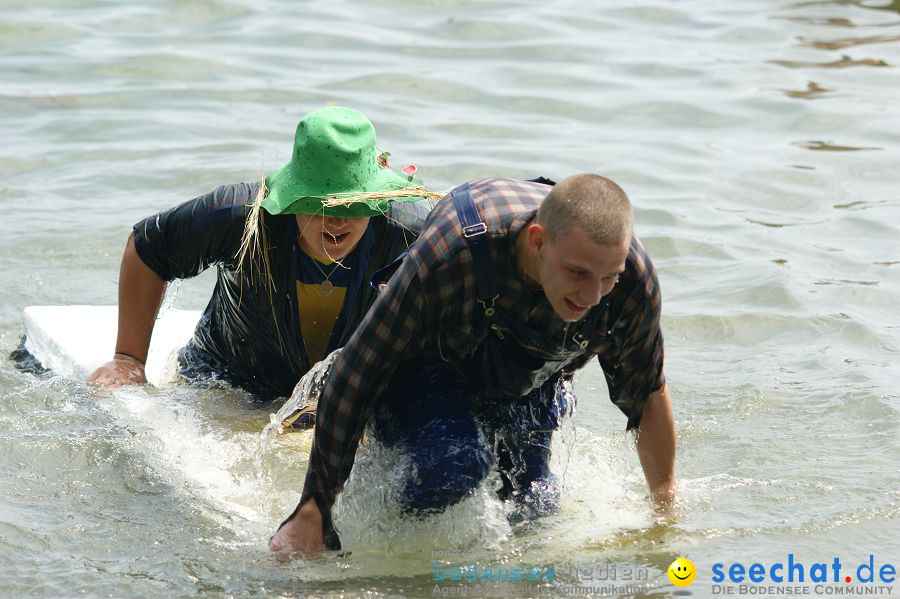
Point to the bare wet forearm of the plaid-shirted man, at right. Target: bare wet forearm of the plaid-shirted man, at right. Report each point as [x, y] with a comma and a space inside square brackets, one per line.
[656, 445]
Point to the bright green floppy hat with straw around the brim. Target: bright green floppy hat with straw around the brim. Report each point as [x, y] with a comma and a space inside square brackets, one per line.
[335, 171]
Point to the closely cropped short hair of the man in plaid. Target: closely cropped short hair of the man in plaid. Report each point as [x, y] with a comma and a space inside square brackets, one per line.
[594, 203]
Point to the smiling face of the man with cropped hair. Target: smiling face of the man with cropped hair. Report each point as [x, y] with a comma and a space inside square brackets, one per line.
[574, 270]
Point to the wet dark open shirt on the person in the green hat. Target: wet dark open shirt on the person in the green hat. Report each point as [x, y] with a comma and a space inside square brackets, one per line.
[249, 334]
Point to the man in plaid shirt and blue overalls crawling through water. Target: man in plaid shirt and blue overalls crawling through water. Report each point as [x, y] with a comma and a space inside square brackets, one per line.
[511, 286]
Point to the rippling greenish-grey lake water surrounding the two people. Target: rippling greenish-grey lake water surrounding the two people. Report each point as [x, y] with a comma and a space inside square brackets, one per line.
[758, 141]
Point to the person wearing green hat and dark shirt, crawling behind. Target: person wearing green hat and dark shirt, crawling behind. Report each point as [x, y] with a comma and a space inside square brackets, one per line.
[294, 255]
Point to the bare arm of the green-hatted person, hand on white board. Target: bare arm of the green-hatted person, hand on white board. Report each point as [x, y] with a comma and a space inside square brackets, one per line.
[140, 295]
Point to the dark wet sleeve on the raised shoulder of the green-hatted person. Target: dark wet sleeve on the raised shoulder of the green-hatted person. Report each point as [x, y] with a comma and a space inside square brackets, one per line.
[184, 241]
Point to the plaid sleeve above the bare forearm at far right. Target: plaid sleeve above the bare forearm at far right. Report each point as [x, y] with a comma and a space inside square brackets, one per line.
[635, 369]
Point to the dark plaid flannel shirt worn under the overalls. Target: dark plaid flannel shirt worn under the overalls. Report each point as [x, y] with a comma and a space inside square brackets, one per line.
[429, 311]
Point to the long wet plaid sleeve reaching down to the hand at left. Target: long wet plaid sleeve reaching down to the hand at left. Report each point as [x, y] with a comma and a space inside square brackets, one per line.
[392, 332]
